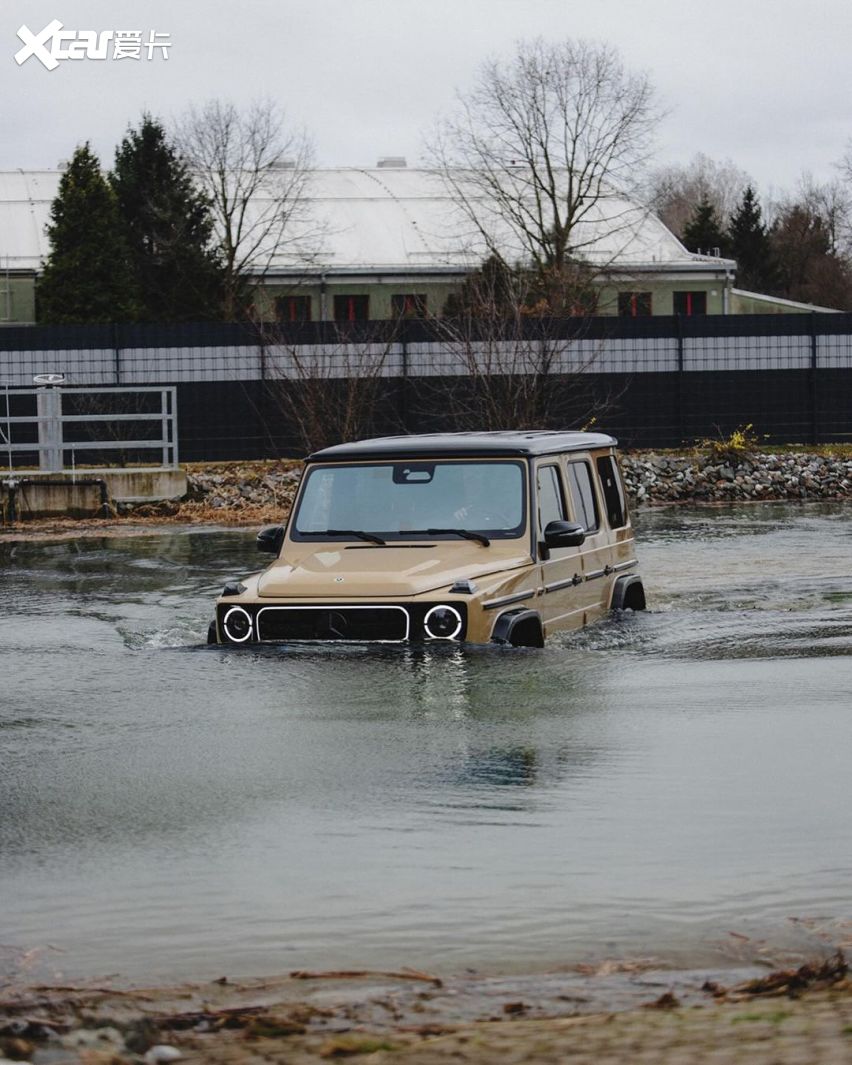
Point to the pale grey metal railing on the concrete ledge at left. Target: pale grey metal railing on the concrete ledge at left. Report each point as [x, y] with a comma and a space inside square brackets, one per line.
[53, 447]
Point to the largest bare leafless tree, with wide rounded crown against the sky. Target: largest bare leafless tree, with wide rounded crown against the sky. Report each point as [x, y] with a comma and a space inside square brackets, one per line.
[536, 151]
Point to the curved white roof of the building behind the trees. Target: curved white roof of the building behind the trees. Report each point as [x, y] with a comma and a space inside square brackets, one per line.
[372, 221]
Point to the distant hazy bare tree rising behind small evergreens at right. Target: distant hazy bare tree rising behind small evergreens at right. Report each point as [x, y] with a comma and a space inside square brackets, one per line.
[676, 192]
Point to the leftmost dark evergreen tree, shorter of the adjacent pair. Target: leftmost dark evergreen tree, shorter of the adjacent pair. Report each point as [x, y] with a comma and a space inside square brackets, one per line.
[87, 277]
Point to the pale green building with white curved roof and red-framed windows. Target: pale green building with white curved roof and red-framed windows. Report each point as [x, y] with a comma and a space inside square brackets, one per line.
[390, 241]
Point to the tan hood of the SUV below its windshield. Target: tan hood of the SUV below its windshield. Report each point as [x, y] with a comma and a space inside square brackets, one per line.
[347, 571]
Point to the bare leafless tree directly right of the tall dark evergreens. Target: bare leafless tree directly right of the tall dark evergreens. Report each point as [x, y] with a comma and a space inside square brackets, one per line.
[255, 169]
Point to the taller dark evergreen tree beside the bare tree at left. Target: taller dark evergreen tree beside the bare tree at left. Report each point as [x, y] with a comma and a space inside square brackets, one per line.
[169, 230]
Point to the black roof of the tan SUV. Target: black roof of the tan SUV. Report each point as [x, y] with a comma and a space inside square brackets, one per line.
[463, 445]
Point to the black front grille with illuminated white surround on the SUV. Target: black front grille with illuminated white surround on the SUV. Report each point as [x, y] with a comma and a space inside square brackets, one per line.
[381, 624]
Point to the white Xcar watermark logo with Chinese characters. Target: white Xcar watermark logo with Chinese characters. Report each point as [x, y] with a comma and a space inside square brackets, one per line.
[55, 44]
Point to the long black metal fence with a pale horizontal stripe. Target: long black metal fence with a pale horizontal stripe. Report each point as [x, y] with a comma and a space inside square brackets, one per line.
[656, 382]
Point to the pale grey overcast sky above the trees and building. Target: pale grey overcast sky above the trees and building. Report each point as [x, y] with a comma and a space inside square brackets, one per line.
[766, 85]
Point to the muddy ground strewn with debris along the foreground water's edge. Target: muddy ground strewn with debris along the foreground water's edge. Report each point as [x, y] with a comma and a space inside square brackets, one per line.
[792, 1018]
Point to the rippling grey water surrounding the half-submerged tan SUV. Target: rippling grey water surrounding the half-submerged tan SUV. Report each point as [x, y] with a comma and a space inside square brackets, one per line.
[664, 785]
